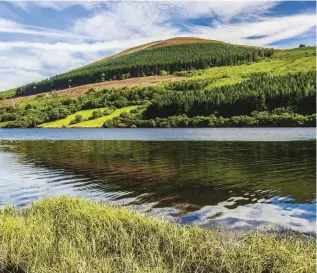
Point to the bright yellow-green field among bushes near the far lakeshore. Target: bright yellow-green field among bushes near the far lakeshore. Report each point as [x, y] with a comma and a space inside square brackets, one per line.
[85, 114]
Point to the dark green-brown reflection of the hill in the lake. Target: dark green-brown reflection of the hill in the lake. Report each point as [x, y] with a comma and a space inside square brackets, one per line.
[200, 173]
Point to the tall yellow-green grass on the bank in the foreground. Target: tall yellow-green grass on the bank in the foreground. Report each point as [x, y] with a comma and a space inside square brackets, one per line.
[74, 235]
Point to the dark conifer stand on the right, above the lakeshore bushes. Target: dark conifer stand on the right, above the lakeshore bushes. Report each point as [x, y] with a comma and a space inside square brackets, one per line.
[262, 92]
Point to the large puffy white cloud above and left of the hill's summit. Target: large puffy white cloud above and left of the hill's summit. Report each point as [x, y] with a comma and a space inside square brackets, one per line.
[126, 21]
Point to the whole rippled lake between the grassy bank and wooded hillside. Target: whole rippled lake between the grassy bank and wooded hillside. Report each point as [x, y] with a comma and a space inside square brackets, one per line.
[268, 179]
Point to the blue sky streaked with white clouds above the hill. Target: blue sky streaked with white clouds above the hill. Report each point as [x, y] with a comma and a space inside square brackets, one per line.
[39, 39]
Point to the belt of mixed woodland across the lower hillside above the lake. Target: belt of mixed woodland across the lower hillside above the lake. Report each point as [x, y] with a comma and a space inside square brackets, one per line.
[261, 100]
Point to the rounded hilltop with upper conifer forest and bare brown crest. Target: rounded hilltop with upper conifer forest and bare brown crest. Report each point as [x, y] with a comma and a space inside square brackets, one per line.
[153, 59]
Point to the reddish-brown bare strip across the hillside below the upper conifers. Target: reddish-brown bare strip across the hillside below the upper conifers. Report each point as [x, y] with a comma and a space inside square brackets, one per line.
[78, 91]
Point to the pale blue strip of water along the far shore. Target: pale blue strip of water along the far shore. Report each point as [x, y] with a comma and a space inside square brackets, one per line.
[166, 134]
